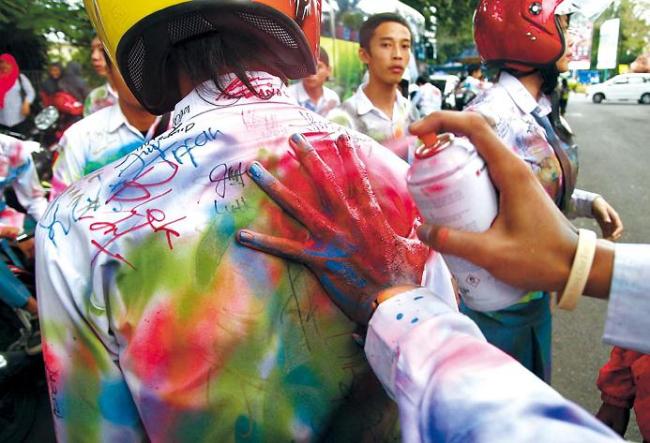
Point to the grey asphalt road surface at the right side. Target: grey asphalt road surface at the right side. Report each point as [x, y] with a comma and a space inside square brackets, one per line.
[615, 162]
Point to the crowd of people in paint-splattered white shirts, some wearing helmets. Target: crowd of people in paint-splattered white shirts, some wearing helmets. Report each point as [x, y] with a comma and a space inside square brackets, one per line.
[161, 318]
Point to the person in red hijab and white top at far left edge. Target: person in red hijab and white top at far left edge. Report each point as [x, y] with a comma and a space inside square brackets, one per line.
[16, 95]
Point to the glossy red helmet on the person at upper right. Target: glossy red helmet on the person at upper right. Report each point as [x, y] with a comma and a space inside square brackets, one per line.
[518, 34]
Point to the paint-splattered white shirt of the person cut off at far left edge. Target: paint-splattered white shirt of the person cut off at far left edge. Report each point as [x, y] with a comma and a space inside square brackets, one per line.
[17, 171]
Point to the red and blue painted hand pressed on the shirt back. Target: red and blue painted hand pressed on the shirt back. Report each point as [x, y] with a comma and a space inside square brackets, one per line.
[352, 249]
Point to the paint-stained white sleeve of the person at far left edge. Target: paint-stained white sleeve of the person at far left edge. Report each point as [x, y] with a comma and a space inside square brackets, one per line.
[27, 186]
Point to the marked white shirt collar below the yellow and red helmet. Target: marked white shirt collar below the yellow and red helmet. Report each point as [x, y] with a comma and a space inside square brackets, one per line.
[207, 95]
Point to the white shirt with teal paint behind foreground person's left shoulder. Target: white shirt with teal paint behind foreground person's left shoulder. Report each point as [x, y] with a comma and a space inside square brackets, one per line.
[93, 142]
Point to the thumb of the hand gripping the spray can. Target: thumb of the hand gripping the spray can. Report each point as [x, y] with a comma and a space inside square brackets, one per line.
[467, 245]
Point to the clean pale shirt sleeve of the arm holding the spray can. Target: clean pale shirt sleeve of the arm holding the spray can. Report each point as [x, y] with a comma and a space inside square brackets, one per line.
[628, 312]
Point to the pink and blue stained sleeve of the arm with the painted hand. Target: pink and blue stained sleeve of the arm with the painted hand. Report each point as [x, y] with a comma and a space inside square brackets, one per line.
[451, 385]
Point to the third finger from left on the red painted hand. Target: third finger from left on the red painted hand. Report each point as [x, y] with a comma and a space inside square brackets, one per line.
[321, 174]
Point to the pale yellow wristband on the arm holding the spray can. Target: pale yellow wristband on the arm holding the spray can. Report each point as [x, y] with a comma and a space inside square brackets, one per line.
[579, 274]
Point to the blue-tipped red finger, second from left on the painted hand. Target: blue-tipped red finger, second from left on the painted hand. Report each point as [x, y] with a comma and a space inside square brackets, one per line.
[290, 201]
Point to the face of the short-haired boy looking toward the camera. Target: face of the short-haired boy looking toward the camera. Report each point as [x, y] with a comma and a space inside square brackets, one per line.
[389, 52]
